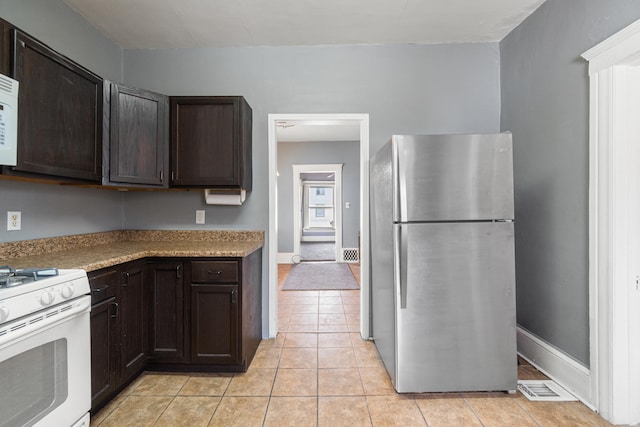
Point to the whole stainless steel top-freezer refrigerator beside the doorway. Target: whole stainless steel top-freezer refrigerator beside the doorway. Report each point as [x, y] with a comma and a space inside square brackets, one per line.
[443, 273]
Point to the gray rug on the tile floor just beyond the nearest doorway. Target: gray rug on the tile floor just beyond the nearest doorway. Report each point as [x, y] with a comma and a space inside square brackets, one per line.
[320, 276]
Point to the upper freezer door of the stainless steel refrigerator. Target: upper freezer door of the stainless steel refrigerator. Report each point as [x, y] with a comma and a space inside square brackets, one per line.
[452, 177]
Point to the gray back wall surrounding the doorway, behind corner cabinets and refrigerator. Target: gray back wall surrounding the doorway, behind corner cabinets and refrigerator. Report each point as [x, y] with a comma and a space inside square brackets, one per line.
[403, 88]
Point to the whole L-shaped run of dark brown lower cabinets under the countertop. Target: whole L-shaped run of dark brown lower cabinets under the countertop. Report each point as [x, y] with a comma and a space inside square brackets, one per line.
[182, 314]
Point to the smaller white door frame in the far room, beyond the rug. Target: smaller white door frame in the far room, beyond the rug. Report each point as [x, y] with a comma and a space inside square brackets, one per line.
[336, 169]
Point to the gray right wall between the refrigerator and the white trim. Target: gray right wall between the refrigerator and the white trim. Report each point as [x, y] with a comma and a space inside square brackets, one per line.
[545, 103]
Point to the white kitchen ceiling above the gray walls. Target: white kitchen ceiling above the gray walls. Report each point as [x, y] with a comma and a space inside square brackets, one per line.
[157, 24]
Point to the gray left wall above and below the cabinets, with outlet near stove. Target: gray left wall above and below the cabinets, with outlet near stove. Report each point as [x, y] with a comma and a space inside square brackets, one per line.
[51, 210]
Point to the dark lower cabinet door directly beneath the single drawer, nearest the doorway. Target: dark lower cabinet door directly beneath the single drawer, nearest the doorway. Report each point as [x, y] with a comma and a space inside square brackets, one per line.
[214, 324]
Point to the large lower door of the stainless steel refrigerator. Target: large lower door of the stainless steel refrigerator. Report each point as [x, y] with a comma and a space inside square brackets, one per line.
[455, 307]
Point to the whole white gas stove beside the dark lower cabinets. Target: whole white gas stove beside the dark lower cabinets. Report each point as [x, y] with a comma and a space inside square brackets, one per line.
[45, 350]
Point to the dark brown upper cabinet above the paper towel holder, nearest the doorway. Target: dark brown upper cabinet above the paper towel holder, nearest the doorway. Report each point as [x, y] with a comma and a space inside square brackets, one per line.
[211, 142]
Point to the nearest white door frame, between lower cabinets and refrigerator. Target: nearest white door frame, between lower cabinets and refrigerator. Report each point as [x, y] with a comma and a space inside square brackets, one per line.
[363, 121]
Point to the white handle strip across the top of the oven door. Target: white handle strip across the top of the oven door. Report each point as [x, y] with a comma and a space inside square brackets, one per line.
[43, 320]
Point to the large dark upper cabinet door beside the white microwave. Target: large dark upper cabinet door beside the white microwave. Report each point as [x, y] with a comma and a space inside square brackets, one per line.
[59, 113]
